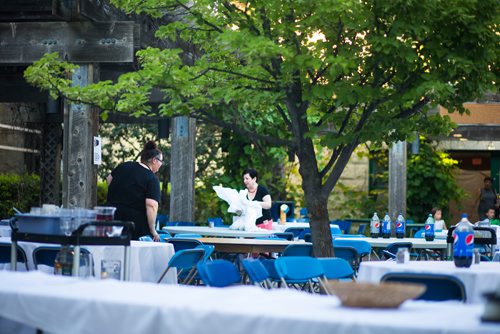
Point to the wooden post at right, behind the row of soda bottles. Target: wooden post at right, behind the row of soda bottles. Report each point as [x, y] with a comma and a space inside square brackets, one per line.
[397, 179]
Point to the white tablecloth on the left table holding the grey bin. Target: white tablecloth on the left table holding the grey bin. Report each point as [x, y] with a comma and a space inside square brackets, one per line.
[147, 259]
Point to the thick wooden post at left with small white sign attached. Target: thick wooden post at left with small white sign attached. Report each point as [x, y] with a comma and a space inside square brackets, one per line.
[80, 125]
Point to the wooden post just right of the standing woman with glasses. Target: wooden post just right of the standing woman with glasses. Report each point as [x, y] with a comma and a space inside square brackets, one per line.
[182, 169]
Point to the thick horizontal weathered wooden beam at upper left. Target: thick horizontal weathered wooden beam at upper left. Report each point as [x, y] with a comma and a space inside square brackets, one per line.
[79, 42]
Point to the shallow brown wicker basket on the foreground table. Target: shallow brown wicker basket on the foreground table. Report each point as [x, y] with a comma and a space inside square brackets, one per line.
[383, 295]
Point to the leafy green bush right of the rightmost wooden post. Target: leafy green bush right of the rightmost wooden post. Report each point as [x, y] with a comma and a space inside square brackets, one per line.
[431, 181]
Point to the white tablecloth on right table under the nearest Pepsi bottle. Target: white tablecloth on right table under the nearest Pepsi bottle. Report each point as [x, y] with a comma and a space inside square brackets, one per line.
[477, 279]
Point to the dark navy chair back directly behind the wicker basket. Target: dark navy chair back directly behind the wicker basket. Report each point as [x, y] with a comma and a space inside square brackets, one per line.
[439, 287]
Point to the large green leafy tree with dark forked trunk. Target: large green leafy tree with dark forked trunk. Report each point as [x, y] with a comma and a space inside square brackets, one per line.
[293, 73]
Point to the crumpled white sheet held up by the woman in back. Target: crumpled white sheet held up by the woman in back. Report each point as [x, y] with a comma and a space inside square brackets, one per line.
[248, 211]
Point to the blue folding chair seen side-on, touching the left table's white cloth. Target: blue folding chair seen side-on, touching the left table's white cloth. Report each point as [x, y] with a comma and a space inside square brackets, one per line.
[185, 259]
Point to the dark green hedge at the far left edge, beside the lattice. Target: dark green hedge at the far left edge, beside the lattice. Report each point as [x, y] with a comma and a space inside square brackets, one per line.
[20, 191]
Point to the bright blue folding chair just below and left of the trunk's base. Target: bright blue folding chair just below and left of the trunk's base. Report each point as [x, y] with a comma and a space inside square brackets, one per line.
[299, 271]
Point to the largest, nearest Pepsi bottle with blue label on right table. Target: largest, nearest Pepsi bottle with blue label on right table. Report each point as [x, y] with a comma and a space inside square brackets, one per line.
[463, 244]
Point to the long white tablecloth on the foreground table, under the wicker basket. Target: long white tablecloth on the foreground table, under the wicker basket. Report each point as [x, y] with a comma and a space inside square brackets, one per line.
[69, 305]
